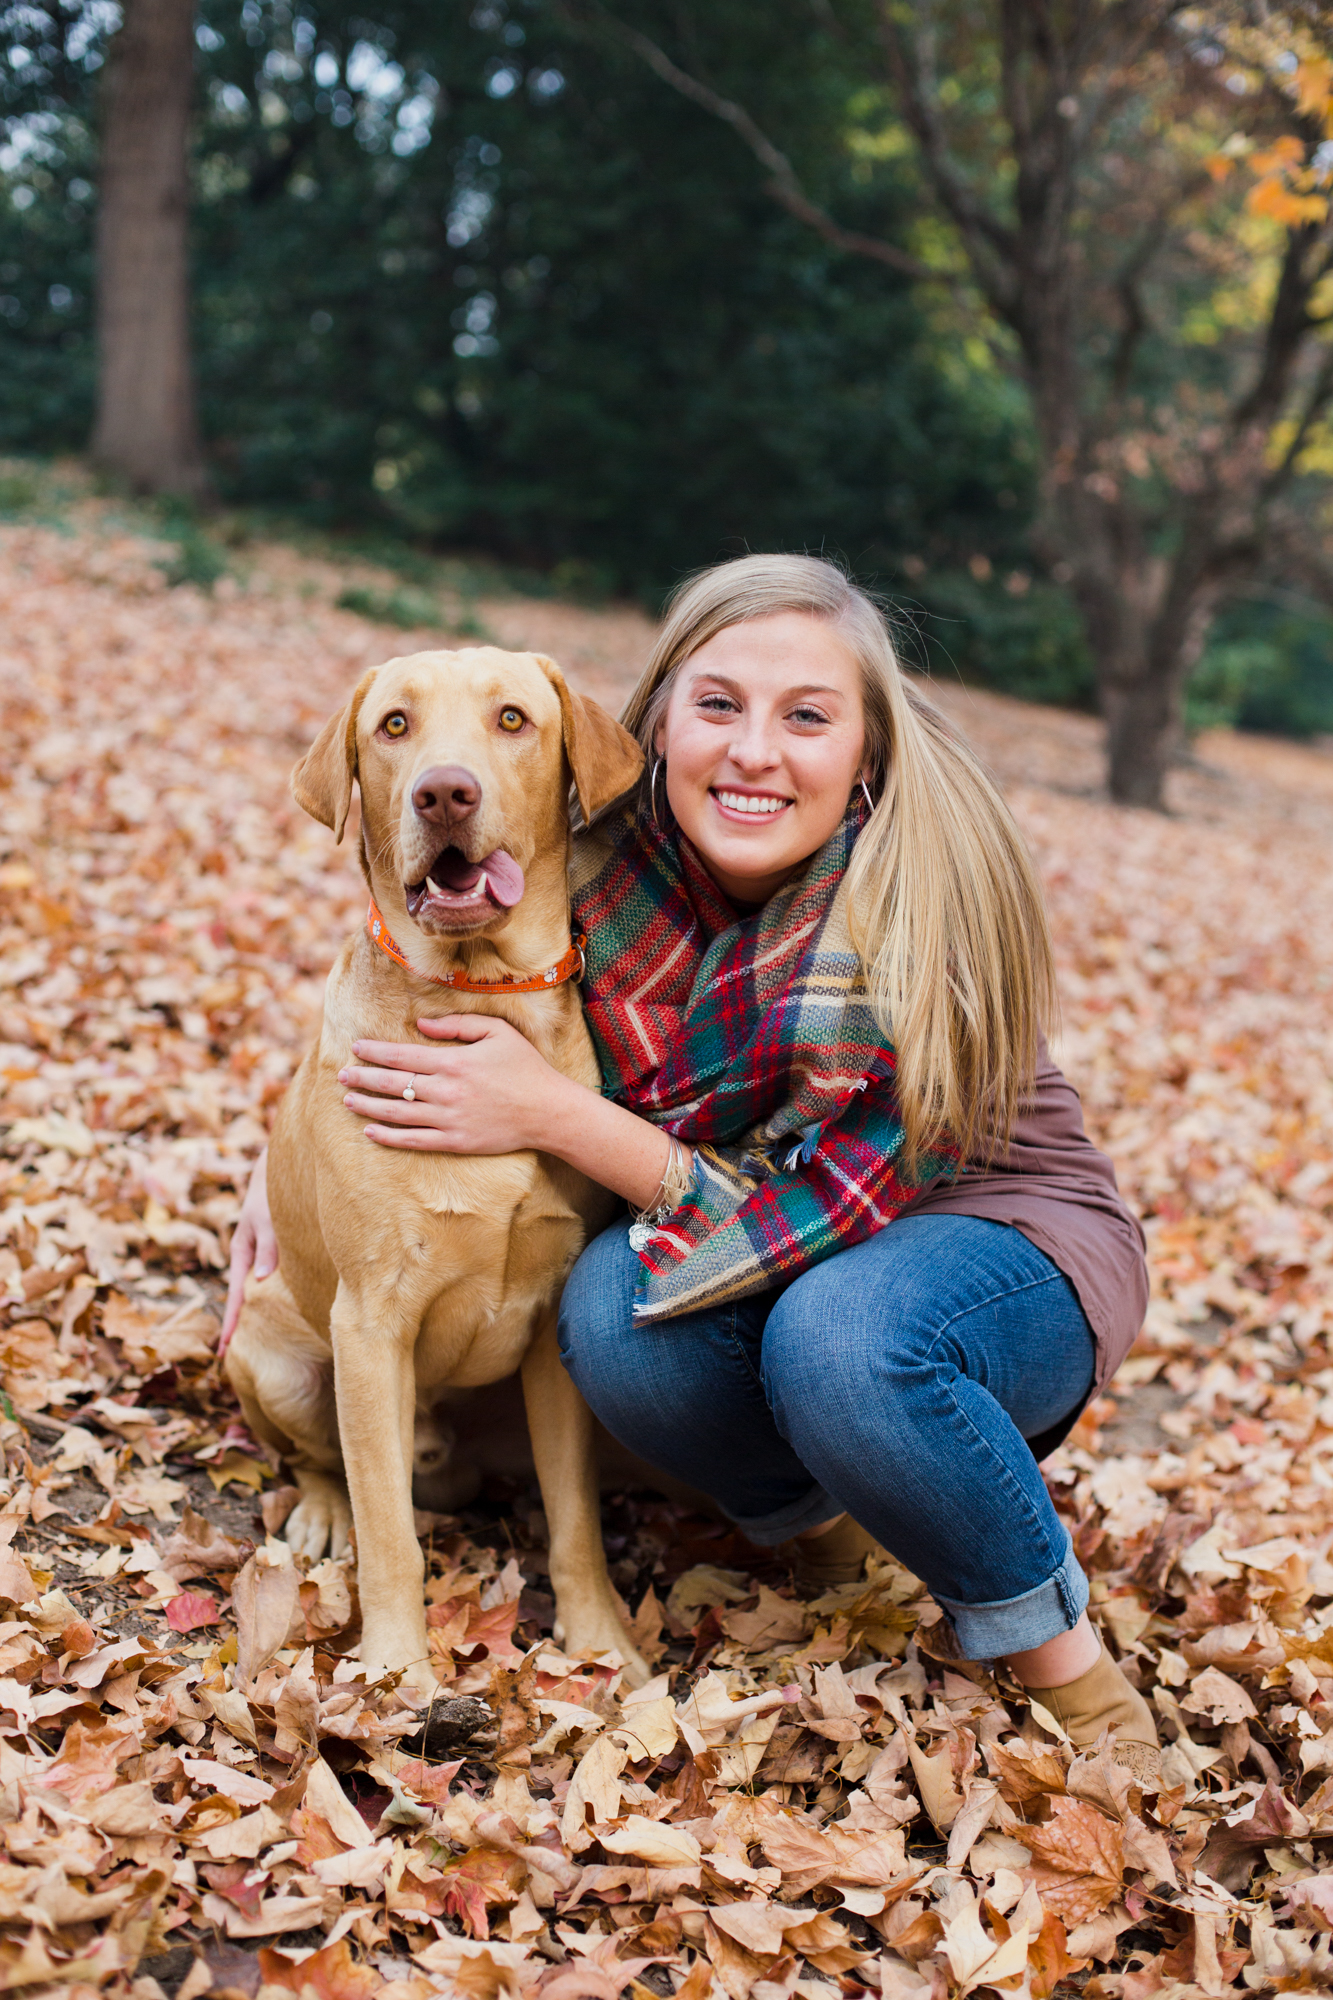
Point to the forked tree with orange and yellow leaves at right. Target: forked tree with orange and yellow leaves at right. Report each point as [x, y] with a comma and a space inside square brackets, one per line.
[1136, 217]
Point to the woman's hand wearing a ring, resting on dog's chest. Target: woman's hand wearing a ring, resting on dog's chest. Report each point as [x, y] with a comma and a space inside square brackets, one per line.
[485, 1091]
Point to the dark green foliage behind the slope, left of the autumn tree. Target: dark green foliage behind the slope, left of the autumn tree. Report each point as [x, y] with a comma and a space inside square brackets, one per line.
[483, 281]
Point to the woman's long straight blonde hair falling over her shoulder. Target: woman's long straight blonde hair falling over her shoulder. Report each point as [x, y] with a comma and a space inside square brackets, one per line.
[946, 905]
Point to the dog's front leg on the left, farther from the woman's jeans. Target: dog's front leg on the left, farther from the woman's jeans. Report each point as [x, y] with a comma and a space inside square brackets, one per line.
[375, 1379]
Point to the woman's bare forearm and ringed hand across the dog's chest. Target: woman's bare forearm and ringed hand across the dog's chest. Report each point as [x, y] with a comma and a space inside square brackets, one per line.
[489, 1091]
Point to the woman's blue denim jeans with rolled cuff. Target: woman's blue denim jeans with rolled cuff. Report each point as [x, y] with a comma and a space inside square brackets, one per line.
[898, 1381]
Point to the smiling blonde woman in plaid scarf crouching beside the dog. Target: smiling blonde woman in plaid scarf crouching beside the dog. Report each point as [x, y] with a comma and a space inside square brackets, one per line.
[818, 973]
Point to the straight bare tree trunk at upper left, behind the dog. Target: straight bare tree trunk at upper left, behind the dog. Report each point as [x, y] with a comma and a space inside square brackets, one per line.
[145, 431]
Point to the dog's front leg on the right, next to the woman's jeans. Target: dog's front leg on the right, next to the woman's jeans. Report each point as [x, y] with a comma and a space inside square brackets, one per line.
[561, 1431]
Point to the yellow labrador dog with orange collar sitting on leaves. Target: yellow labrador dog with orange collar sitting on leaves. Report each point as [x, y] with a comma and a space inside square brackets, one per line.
[407, 1275]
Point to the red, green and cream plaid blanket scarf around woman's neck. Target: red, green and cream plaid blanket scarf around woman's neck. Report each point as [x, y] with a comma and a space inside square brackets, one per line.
[752, 1041]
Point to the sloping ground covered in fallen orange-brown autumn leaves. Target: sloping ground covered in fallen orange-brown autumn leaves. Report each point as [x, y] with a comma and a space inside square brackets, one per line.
[199, 1793]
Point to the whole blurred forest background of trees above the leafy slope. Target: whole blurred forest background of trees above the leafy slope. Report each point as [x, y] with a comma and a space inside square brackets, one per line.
[1020, 309]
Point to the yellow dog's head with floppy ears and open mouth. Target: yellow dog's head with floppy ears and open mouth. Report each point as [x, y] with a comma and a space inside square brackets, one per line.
[463, 763]
